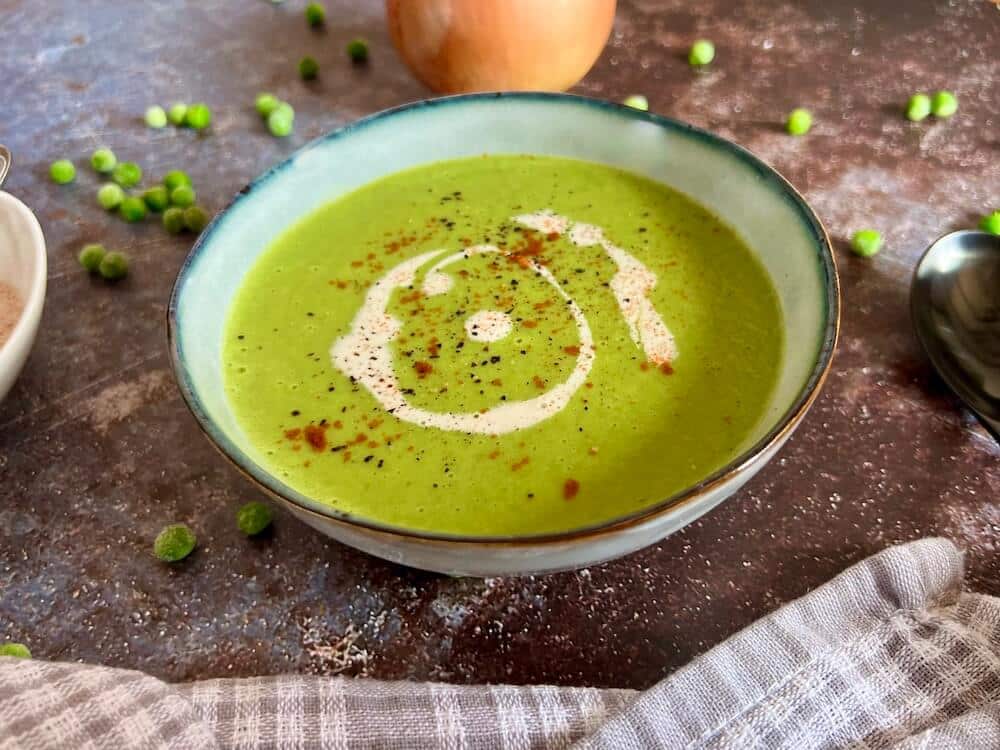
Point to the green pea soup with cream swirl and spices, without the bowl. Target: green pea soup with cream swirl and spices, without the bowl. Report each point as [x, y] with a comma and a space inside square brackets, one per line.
[502, 345]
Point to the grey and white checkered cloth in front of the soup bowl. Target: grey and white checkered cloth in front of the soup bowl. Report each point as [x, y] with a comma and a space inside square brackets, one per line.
[890, 654]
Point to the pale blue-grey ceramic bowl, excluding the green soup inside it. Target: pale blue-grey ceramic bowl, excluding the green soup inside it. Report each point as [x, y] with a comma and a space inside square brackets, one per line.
[765, 210]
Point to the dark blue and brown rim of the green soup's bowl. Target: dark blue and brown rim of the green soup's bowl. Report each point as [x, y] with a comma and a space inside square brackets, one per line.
[787, 422]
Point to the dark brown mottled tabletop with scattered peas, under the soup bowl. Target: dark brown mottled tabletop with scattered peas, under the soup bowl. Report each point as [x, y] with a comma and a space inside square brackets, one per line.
[97, 451]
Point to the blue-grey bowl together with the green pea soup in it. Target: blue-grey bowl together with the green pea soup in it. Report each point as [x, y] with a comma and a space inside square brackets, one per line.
[506, 334]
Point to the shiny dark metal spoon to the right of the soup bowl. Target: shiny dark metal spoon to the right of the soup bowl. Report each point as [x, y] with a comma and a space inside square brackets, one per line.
[955, 306]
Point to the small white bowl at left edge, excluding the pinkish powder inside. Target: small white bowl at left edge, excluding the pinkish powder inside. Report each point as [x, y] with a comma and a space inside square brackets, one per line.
[23, 266]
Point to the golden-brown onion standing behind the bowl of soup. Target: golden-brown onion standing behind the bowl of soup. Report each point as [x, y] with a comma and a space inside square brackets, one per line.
[457, 46]
